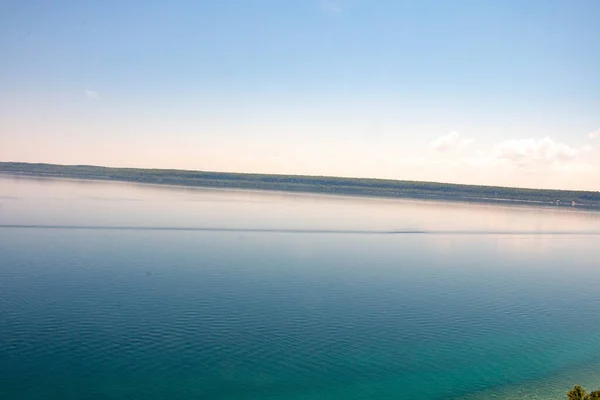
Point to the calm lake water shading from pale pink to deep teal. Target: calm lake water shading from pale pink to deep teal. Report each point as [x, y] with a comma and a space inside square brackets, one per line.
[121, 291]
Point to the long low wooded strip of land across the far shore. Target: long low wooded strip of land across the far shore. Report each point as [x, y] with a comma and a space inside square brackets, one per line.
[313, 184]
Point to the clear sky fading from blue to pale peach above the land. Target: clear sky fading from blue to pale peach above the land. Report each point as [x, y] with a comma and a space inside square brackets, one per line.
[479, 92]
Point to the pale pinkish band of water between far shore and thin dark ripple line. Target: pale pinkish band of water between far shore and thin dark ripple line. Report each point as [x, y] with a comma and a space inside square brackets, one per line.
[66, 202]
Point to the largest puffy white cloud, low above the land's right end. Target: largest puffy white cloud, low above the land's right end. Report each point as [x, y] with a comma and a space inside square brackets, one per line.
[533, 153]
